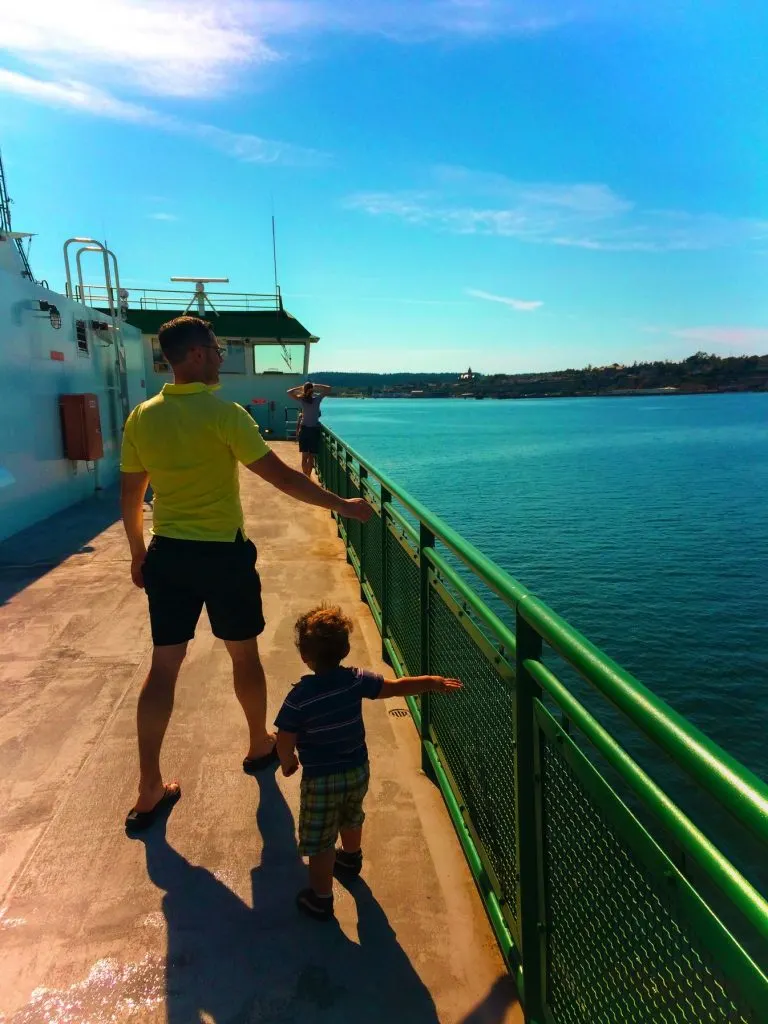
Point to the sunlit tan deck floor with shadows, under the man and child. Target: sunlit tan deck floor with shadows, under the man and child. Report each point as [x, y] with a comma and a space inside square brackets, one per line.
[197, 922]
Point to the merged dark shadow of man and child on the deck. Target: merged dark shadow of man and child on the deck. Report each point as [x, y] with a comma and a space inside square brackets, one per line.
[242, 965]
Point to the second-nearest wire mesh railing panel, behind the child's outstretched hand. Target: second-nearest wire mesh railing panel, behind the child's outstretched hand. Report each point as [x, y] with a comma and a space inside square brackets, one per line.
[475, 731]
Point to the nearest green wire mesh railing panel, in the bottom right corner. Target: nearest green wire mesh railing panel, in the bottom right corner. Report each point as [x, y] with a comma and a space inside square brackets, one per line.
[620, 951]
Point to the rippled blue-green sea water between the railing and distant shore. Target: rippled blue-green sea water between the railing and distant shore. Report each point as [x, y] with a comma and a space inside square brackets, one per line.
[643, 521]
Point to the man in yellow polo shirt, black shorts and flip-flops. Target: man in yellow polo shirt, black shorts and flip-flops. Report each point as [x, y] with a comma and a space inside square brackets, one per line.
[189, 445]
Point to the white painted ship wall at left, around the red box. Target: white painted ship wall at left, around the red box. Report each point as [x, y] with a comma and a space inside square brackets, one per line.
[36, 480]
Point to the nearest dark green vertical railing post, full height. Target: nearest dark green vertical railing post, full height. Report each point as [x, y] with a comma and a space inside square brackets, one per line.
[530, 833]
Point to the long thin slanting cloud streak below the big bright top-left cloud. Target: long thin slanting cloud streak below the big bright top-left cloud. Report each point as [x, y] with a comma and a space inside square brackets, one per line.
[84, 99]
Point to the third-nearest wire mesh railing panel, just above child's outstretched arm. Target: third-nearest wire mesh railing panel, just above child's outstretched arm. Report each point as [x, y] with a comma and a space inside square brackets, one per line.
[404, 602]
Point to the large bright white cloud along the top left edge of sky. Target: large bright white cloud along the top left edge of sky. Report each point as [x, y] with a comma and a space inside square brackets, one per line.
[201, 48]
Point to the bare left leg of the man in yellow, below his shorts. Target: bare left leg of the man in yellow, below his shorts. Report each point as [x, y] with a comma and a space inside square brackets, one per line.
[153, 715]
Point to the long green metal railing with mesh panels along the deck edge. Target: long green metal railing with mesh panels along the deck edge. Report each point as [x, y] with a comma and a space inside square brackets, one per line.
[609, 903]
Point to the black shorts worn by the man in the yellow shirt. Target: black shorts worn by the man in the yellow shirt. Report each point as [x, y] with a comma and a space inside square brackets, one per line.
[182, 577]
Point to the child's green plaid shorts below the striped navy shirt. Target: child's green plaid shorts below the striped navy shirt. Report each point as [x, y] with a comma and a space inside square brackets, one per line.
[330, 803]
